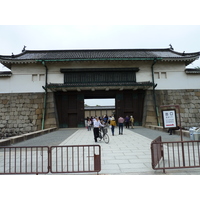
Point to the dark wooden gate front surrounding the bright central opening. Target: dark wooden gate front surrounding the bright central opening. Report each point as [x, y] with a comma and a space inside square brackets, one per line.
[71, 112]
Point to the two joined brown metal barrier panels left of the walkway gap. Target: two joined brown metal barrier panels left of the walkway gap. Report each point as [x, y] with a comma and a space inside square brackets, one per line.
[55, 159]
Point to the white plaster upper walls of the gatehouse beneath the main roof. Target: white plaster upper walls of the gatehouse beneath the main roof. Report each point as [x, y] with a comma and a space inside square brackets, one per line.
[21, 80]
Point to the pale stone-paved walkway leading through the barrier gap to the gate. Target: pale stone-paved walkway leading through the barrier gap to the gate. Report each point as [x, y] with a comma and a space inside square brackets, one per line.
[128, 153]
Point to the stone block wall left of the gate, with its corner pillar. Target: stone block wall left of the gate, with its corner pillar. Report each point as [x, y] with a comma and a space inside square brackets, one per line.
[22, 113]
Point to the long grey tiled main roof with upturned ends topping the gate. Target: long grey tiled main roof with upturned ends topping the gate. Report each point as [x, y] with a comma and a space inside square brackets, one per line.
[98, 54]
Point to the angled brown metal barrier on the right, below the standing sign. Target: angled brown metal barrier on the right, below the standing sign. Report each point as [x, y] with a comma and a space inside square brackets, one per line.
[174, 155]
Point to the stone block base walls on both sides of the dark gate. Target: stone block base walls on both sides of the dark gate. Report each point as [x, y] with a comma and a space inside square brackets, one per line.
[22, 113]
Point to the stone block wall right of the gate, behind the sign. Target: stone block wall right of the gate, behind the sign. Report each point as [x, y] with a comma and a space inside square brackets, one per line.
[188, 100]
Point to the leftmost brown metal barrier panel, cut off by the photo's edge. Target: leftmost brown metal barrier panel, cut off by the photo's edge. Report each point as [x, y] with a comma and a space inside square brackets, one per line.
[24, 160]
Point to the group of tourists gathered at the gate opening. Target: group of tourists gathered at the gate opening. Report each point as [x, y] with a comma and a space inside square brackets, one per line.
[97, 122]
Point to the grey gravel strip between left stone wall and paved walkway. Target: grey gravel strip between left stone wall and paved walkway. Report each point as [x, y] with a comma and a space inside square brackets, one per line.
[50, 139]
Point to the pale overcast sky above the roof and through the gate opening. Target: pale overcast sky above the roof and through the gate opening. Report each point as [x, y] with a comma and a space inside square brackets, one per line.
[49, 37]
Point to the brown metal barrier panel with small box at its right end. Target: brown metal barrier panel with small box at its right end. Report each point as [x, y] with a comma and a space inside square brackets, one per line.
[75, 159]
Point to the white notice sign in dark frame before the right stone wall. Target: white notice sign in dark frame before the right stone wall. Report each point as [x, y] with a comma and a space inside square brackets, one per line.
[169, 118]
